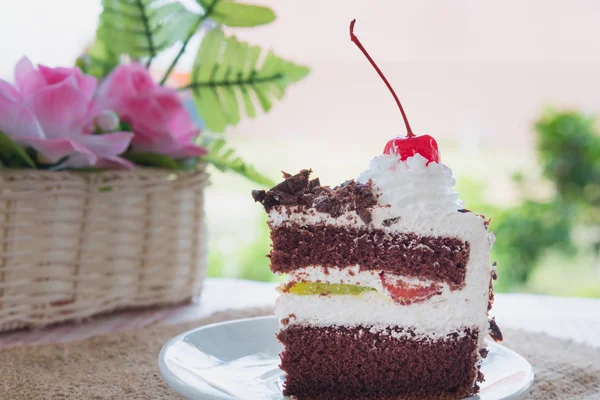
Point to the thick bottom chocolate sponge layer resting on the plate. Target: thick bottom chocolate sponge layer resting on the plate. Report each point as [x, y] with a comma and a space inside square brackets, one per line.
[355, 363]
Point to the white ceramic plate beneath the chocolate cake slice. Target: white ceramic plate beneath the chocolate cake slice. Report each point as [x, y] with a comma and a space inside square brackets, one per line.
[239, 360]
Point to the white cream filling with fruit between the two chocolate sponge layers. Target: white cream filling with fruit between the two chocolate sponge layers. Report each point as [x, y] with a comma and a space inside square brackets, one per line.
[436, 317]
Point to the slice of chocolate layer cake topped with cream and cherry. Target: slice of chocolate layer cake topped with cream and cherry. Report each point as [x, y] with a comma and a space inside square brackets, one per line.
[389, 280]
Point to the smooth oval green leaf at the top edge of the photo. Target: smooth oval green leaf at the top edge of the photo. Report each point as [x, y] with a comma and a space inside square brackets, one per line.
[231, 13]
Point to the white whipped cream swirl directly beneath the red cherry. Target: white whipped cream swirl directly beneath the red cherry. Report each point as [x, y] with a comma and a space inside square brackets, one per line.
[412, 186]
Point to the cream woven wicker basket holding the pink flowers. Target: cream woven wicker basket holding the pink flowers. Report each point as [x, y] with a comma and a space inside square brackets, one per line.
[75, 244]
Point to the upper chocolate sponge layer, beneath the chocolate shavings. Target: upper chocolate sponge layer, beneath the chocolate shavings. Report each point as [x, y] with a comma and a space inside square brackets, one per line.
[442, 259]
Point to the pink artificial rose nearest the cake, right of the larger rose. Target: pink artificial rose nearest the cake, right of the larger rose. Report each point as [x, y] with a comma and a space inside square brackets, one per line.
[157, 116]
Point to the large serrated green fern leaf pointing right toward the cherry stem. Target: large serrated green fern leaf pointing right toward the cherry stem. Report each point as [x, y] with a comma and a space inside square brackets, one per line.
[226, 72]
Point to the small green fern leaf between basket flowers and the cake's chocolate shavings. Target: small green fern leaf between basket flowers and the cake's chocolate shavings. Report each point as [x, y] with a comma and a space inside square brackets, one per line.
[225, 159]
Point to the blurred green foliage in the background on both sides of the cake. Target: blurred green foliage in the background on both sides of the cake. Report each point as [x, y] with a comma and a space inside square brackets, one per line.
[547, 242]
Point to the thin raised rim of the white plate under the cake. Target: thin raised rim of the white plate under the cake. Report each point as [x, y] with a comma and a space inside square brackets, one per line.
[182, 388]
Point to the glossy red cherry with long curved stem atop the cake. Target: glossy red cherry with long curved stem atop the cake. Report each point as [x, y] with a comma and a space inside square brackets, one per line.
[411, 144]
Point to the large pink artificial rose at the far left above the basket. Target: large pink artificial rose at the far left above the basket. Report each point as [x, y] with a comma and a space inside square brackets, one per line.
[50, 110]
